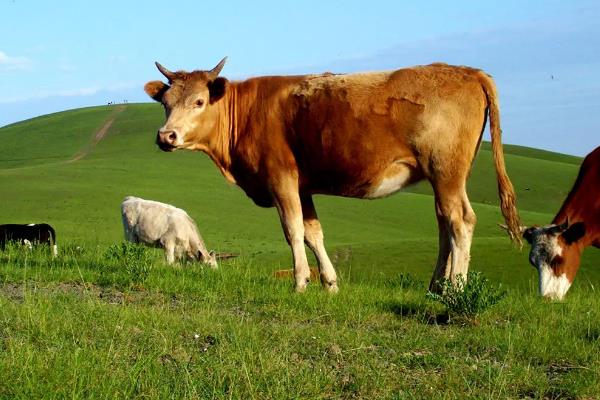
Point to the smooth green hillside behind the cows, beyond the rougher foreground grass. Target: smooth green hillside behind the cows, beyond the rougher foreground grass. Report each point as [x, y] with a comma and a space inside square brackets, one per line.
[56, 169]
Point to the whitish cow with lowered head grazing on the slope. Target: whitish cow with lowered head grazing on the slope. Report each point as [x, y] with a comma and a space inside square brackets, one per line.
[162, 225]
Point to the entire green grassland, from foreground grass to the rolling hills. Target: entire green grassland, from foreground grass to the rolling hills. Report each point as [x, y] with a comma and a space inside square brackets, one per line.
[85, 326]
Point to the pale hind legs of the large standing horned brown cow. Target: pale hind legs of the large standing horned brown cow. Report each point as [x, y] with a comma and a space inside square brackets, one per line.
[456, 221]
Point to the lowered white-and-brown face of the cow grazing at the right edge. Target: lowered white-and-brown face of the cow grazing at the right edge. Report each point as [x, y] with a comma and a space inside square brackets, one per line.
[555, 255]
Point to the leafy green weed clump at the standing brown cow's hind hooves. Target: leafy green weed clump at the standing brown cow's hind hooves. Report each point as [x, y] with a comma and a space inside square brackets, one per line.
[468, 299]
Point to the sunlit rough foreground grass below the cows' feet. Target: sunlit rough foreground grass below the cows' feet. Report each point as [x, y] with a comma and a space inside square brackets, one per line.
[78, 327]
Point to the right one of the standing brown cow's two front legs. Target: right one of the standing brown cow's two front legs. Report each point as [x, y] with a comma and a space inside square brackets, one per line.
[313, 237]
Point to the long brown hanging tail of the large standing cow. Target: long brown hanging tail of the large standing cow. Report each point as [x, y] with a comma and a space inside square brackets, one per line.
[505, 188]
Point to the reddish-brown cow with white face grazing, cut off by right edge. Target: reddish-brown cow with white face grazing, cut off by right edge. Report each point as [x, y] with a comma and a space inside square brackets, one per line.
[556, 248]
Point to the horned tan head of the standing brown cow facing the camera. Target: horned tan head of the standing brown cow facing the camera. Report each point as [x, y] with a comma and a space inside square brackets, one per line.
[190, 101]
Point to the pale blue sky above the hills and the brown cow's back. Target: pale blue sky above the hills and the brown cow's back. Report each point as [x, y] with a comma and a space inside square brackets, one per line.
[544, 55]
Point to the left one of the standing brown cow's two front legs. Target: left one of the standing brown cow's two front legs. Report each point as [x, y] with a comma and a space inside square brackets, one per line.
[287, 201]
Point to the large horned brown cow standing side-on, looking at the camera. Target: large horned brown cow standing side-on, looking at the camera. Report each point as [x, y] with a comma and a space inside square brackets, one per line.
[283, 139]
